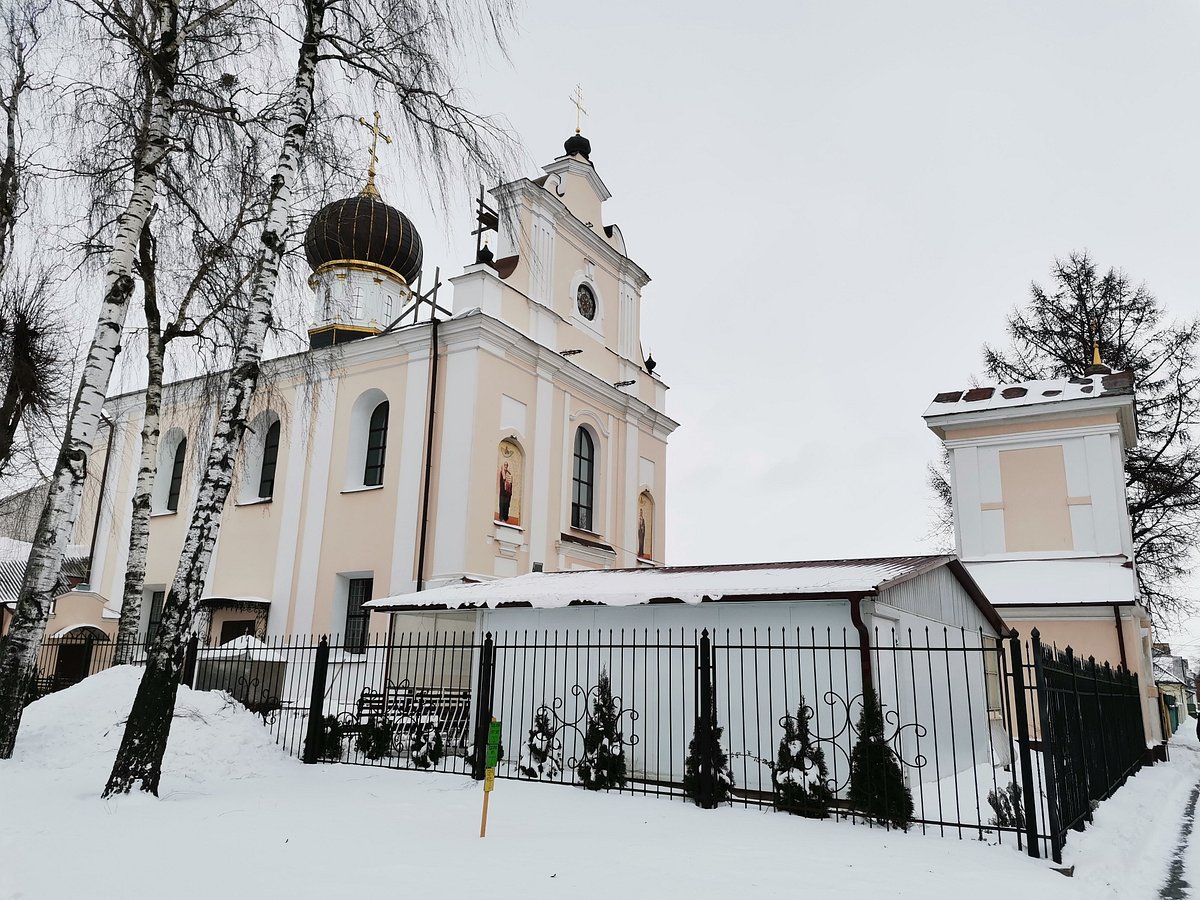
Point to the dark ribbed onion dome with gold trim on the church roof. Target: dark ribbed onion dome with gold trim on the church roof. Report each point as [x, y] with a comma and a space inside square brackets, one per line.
[364, 230]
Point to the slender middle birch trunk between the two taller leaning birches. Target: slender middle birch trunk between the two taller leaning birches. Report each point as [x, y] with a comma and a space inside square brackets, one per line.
[140, 519]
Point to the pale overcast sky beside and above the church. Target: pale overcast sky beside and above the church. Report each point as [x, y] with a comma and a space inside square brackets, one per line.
[838, 205]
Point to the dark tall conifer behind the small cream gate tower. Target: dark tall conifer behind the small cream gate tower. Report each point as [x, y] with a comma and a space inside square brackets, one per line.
[1053, 337]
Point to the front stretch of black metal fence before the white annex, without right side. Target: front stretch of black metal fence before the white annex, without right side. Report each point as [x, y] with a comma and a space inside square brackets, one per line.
[423, 701]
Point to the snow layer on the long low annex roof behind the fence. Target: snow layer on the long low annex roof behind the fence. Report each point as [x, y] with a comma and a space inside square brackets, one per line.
[691, 585]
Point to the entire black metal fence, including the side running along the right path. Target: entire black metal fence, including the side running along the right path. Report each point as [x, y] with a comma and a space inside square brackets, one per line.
[993, 740]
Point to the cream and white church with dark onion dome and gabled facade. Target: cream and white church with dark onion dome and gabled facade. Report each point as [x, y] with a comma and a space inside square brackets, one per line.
[523, 431]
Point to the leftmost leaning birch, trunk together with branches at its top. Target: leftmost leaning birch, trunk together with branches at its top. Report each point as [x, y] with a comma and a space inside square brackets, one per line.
[161, 41]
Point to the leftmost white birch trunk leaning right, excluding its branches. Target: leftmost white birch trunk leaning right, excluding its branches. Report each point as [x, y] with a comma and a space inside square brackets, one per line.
[19, 657]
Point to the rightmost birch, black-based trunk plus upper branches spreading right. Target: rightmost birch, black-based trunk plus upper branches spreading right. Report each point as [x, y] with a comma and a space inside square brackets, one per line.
[405, 50]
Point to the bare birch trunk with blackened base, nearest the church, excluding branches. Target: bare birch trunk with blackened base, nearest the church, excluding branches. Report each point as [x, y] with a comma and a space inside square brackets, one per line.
[148, 729]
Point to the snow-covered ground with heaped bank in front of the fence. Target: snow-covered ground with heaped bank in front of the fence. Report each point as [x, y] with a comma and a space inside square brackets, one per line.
[239, 819]
